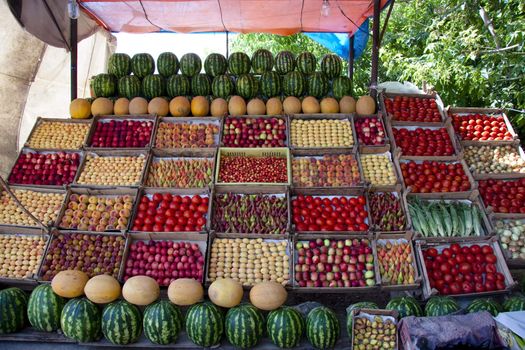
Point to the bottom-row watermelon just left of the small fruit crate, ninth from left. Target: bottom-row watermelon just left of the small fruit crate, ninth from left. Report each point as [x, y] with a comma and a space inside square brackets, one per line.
[322, 328]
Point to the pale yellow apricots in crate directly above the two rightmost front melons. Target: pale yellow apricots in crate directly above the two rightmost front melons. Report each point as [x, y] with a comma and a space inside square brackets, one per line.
[249, 261]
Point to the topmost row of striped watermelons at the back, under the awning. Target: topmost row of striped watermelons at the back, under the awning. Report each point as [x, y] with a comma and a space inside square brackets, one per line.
[215, 64]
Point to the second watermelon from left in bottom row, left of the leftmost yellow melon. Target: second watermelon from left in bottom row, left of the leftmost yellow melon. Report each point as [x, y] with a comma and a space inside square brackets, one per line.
[44, 308]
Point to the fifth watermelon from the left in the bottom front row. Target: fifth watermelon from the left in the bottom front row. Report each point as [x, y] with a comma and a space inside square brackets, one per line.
[162, 322]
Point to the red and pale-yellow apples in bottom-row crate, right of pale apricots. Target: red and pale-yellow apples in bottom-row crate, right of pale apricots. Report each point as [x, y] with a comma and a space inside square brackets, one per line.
[334, 263]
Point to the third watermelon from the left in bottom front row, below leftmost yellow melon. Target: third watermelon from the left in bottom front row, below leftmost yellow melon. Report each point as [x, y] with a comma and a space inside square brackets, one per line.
[80, 320]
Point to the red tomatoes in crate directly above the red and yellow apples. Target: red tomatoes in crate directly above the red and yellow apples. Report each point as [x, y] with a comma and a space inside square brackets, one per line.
[335, 213]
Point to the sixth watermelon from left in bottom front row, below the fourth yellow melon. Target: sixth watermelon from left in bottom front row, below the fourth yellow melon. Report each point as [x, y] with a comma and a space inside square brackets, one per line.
[204, 324]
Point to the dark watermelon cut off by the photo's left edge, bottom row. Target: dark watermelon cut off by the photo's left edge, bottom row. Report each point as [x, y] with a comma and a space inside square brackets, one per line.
[13, 310]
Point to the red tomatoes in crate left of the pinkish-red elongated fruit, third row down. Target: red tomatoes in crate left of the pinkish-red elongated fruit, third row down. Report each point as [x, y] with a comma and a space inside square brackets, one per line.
[165, 212]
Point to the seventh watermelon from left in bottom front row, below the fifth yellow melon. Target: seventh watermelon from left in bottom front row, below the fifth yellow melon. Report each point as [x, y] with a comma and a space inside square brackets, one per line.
[244, 326]
